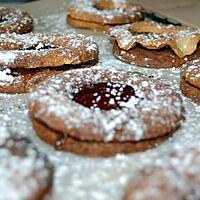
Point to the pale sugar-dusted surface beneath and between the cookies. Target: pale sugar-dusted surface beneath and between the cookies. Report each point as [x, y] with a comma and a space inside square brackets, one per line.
[77, 177]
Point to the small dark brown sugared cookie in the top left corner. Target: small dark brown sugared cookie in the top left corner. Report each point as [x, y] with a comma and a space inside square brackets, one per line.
[15, 21]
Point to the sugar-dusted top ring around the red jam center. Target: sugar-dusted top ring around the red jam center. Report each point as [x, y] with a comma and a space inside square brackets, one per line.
[130, 118]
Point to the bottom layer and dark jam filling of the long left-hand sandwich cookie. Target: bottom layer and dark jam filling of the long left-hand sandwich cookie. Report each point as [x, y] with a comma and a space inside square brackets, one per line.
[26, 80]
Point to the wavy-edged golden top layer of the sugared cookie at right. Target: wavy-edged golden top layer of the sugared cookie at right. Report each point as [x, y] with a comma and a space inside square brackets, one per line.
[182, 41]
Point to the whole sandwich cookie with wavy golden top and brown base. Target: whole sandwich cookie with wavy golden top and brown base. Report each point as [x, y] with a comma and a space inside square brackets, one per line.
[154, 45]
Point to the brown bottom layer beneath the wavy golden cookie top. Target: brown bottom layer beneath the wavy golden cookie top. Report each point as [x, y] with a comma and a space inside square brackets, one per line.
[162, 58]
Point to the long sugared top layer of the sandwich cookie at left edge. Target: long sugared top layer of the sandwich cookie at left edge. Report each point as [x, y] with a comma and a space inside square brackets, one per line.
[37, 50]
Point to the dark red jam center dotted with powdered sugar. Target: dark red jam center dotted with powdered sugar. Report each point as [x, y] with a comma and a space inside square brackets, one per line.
[105, 96]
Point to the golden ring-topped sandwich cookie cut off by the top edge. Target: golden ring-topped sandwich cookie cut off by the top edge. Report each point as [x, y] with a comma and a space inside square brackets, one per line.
[103, 14]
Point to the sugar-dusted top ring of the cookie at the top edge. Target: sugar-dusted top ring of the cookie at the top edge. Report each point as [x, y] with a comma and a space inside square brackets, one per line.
[77, 8]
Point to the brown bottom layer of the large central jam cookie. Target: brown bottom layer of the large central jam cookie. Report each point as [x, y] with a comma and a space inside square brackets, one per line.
[89, 148]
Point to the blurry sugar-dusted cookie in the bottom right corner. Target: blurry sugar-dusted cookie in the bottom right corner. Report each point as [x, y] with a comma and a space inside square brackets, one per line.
[176, 177]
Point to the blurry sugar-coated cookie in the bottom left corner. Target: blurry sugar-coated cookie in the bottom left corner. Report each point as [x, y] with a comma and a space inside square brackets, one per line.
[25, 173]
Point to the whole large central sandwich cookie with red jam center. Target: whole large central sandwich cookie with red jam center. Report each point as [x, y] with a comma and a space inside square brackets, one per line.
[102, 112]
